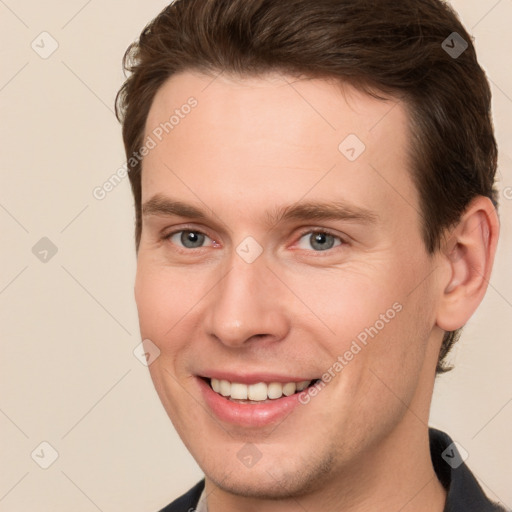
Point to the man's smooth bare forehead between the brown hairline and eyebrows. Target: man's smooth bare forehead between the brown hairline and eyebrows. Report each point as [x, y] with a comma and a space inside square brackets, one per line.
[276, 139]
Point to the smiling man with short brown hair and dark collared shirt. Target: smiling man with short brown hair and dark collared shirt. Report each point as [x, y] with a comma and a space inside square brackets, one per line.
[315, 223]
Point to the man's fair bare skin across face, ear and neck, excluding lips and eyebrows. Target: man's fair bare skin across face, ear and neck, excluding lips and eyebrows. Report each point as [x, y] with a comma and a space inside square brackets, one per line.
[253, 145]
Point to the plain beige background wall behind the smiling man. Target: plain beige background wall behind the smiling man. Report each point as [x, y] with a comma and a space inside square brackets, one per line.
[68, 375]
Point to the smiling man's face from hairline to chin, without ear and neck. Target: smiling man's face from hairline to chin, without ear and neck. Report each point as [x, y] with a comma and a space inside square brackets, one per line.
[266, 287]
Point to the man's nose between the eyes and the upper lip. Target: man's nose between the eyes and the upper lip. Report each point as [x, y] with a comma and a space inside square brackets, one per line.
[247, 306]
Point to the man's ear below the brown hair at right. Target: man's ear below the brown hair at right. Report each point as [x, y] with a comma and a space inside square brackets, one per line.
[467, 256]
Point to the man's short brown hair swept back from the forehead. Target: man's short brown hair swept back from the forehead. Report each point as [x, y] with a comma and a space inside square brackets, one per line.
[389, 46]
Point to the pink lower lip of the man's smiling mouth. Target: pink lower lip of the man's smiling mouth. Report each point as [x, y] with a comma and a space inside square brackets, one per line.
[248, 415]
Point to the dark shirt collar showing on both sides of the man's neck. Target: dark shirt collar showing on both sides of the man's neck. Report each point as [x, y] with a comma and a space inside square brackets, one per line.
[464, 494]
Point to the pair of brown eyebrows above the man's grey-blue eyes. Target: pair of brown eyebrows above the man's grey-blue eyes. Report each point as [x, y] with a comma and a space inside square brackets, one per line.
[163, 206]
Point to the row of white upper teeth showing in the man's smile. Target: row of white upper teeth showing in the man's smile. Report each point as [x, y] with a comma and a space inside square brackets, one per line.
[257, 392]
